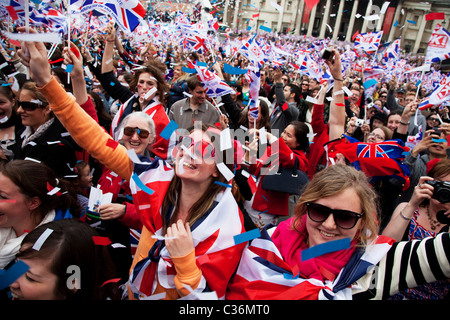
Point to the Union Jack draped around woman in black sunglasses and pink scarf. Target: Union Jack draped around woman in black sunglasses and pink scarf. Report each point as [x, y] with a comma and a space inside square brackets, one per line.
[264, 275]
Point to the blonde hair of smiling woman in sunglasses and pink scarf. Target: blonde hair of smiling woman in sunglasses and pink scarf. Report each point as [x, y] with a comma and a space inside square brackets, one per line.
[332, 181]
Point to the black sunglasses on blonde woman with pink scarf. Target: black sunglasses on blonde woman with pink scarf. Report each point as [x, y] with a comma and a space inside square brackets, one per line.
[343, 218]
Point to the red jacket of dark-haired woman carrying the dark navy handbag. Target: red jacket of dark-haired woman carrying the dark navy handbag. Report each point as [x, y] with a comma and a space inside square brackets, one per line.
[273, 202]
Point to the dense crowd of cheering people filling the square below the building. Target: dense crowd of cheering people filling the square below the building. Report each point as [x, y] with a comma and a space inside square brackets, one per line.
[139, 124]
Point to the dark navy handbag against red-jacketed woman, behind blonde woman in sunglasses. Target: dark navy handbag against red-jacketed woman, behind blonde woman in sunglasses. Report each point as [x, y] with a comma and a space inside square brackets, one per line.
[287, 180]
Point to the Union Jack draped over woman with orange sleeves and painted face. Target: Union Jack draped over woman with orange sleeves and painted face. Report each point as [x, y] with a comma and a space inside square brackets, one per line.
[217, 256]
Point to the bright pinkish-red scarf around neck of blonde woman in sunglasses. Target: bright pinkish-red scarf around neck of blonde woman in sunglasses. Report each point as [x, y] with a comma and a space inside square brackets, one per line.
[291, 242]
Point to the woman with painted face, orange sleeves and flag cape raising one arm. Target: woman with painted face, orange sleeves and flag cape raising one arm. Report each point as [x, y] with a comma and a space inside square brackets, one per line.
[190, 216]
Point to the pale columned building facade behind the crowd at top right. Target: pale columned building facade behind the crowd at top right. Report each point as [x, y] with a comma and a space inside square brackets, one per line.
[340, 20]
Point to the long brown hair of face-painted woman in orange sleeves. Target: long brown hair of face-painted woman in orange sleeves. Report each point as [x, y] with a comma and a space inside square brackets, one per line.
[202, 205]
